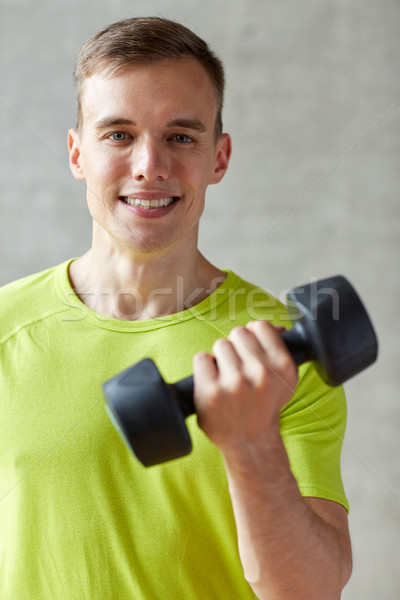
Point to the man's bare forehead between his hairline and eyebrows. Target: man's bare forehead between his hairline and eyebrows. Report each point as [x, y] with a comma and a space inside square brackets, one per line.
[165, 88]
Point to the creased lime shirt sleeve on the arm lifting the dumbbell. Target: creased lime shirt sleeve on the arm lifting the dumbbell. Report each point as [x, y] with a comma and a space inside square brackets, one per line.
[312, 428]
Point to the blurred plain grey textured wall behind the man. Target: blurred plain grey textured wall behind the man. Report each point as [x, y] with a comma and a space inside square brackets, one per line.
[313, 104]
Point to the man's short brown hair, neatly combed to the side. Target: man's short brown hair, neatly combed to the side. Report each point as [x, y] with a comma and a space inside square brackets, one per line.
[146, 40]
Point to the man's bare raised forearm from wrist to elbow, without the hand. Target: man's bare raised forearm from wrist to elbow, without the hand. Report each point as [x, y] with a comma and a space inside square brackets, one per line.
[287, 550]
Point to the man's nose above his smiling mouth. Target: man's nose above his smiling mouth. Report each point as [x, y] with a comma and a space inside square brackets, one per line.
[150, 160]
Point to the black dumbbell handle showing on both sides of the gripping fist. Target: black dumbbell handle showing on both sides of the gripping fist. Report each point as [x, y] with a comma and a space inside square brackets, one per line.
[295, 342]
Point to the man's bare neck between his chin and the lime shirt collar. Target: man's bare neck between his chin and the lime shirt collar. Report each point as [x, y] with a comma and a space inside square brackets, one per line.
[128, 285]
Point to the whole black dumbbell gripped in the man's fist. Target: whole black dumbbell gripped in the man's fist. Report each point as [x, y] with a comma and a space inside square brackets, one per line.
[330, 327]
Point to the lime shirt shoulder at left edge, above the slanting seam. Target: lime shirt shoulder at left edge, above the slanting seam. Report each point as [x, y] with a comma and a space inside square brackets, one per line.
[29, 299]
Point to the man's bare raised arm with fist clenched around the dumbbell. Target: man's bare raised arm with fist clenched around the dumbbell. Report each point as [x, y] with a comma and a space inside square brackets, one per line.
[290, 547]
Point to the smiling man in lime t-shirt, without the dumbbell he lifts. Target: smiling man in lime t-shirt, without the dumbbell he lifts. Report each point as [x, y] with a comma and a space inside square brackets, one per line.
[258, 508]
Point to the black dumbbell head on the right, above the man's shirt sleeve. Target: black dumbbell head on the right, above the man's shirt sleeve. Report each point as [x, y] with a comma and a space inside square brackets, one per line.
[331, 328]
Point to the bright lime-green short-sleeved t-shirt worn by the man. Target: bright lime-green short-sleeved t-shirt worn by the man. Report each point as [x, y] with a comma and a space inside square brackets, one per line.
[80, 517]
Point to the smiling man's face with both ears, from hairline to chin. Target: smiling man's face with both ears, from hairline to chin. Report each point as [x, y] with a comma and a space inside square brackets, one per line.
[147, 151]
